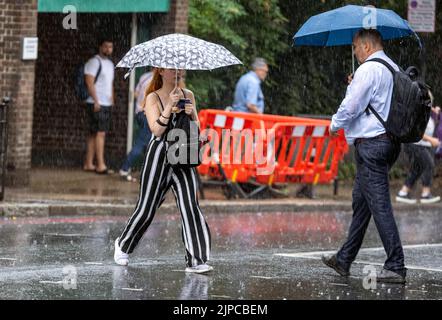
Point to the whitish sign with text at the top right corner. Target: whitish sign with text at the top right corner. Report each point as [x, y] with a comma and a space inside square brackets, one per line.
[422, 15]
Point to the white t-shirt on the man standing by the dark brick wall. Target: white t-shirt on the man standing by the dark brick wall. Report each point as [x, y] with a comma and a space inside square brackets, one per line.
[104, 83]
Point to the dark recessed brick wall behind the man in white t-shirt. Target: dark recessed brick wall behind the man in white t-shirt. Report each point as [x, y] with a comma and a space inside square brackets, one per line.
[60, 122]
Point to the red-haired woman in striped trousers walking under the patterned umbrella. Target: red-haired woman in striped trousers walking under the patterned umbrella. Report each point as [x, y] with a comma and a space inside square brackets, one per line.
[158, 176]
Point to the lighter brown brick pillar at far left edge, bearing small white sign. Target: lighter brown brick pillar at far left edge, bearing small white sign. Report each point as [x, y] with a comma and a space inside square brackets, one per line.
[17, 19]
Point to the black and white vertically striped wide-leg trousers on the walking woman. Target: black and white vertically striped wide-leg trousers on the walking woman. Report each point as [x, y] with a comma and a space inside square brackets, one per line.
[157, 177]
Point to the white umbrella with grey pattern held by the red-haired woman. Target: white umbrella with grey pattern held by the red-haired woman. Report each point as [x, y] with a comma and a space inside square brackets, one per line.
[178, 51]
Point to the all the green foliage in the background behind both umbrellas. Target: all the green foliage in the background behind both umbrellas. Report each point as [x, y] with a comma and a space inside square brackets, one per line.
[302, 80]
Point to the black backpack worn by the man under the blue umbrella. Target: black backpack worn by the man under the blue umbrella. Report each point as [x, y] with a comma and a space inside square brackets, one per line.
[410, 107]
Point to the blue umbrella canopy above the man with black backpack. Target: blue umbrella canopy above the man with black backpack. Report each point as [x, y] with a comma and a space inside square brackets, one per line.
[338, 27]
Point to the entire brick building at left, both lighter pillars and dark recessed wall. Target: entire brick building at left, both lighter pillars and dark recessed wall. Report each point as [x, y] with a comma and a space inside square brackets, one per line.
[47, 125]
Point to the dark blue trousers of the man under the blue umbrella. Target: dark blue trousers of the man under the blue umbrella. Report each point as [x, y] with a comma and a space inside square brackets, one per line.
[371, 197]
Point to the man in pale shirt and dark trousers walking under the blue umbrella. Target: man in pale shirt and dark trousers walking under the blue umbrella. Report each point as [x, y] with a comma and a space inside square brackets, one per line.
[375, 153]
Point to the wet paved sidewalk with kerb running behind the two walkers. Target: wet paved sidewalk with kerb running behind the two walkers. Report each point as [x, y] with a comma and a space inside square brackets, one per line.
[54, 192]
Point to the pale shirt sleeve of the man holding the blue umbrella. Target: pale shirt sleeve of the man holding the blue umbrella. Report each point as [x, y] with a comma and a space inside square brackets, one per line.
[356, 100]
